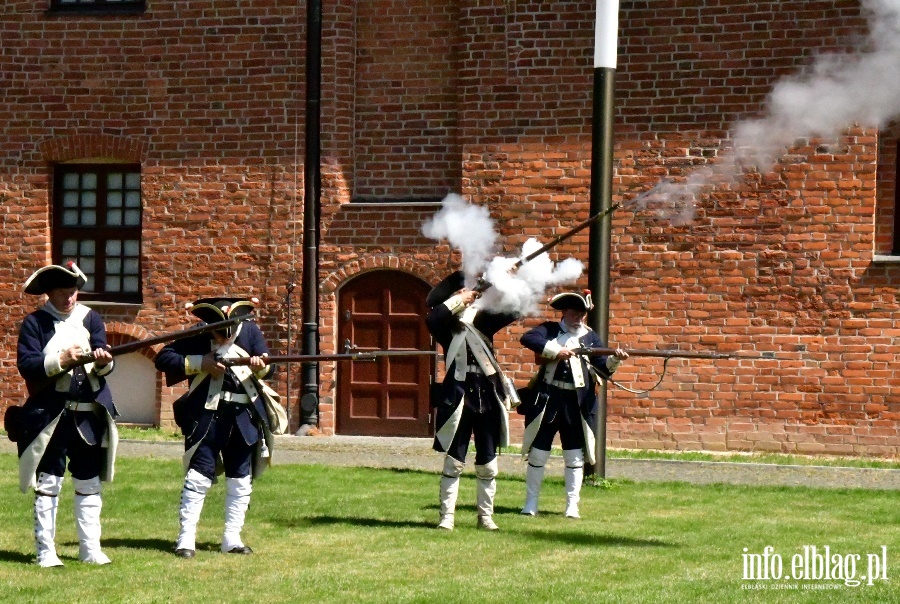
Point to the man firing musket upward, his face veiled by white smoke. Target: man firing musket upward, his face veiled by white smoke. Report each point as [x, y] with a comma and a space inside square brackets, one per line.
[474, 398]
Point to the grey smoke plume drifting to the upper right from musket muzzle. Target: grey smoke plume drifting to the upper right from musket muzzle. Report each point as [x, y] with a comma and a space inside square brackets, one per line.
[836, 92]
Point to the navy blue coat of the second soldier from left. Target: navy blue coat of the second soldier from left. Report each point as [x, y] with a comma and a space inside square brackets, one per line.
[191, 414]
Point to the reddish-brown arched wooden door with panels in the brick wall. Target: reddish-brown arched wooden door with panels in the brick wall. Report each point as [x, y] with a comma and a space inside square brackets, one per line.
[384, 310]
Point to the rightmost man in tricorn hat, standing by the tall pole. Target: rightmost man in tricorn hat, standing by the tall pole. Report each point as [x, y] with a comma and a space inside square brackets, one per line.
[562, 397]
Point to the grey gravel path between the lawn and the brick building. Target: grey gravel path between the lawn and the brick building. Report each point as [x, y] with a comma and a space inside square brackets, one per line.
[416, 454]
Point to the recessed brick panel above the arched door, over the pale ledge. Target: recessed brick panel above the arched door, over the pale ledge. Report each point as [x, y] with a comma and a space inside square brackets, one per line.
[406, 100]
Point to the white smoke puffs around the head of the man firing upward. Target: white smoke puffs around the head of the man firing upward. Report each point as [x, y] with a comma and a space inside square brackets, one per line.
[470, 229]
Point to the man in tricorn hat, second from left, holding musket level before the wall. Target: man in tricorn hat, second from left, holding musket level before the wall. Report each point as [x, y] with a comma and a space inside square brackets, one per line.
[222, 417]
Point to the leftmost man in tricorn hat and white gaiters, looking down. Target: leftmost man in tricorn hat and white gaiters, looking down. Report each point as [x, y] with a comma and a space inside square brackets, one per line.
[69, 411]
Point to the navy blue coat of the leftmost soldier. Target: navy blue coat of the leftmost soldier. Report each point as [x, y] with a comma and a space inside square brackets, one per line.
[44, 402]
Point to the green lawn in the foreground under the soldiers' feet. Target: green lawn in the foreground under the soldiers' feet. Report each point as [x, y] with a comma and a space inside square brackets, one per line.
[328, 534]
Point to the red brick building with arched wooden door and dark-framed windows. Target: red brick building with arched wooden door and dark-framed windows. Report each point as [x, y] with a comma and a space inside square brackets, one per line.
[161, 144]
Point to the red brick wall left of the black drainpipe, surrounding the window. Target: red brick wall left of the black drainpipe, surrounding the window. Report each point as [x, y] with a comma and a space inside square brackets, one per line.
[206, 98]
